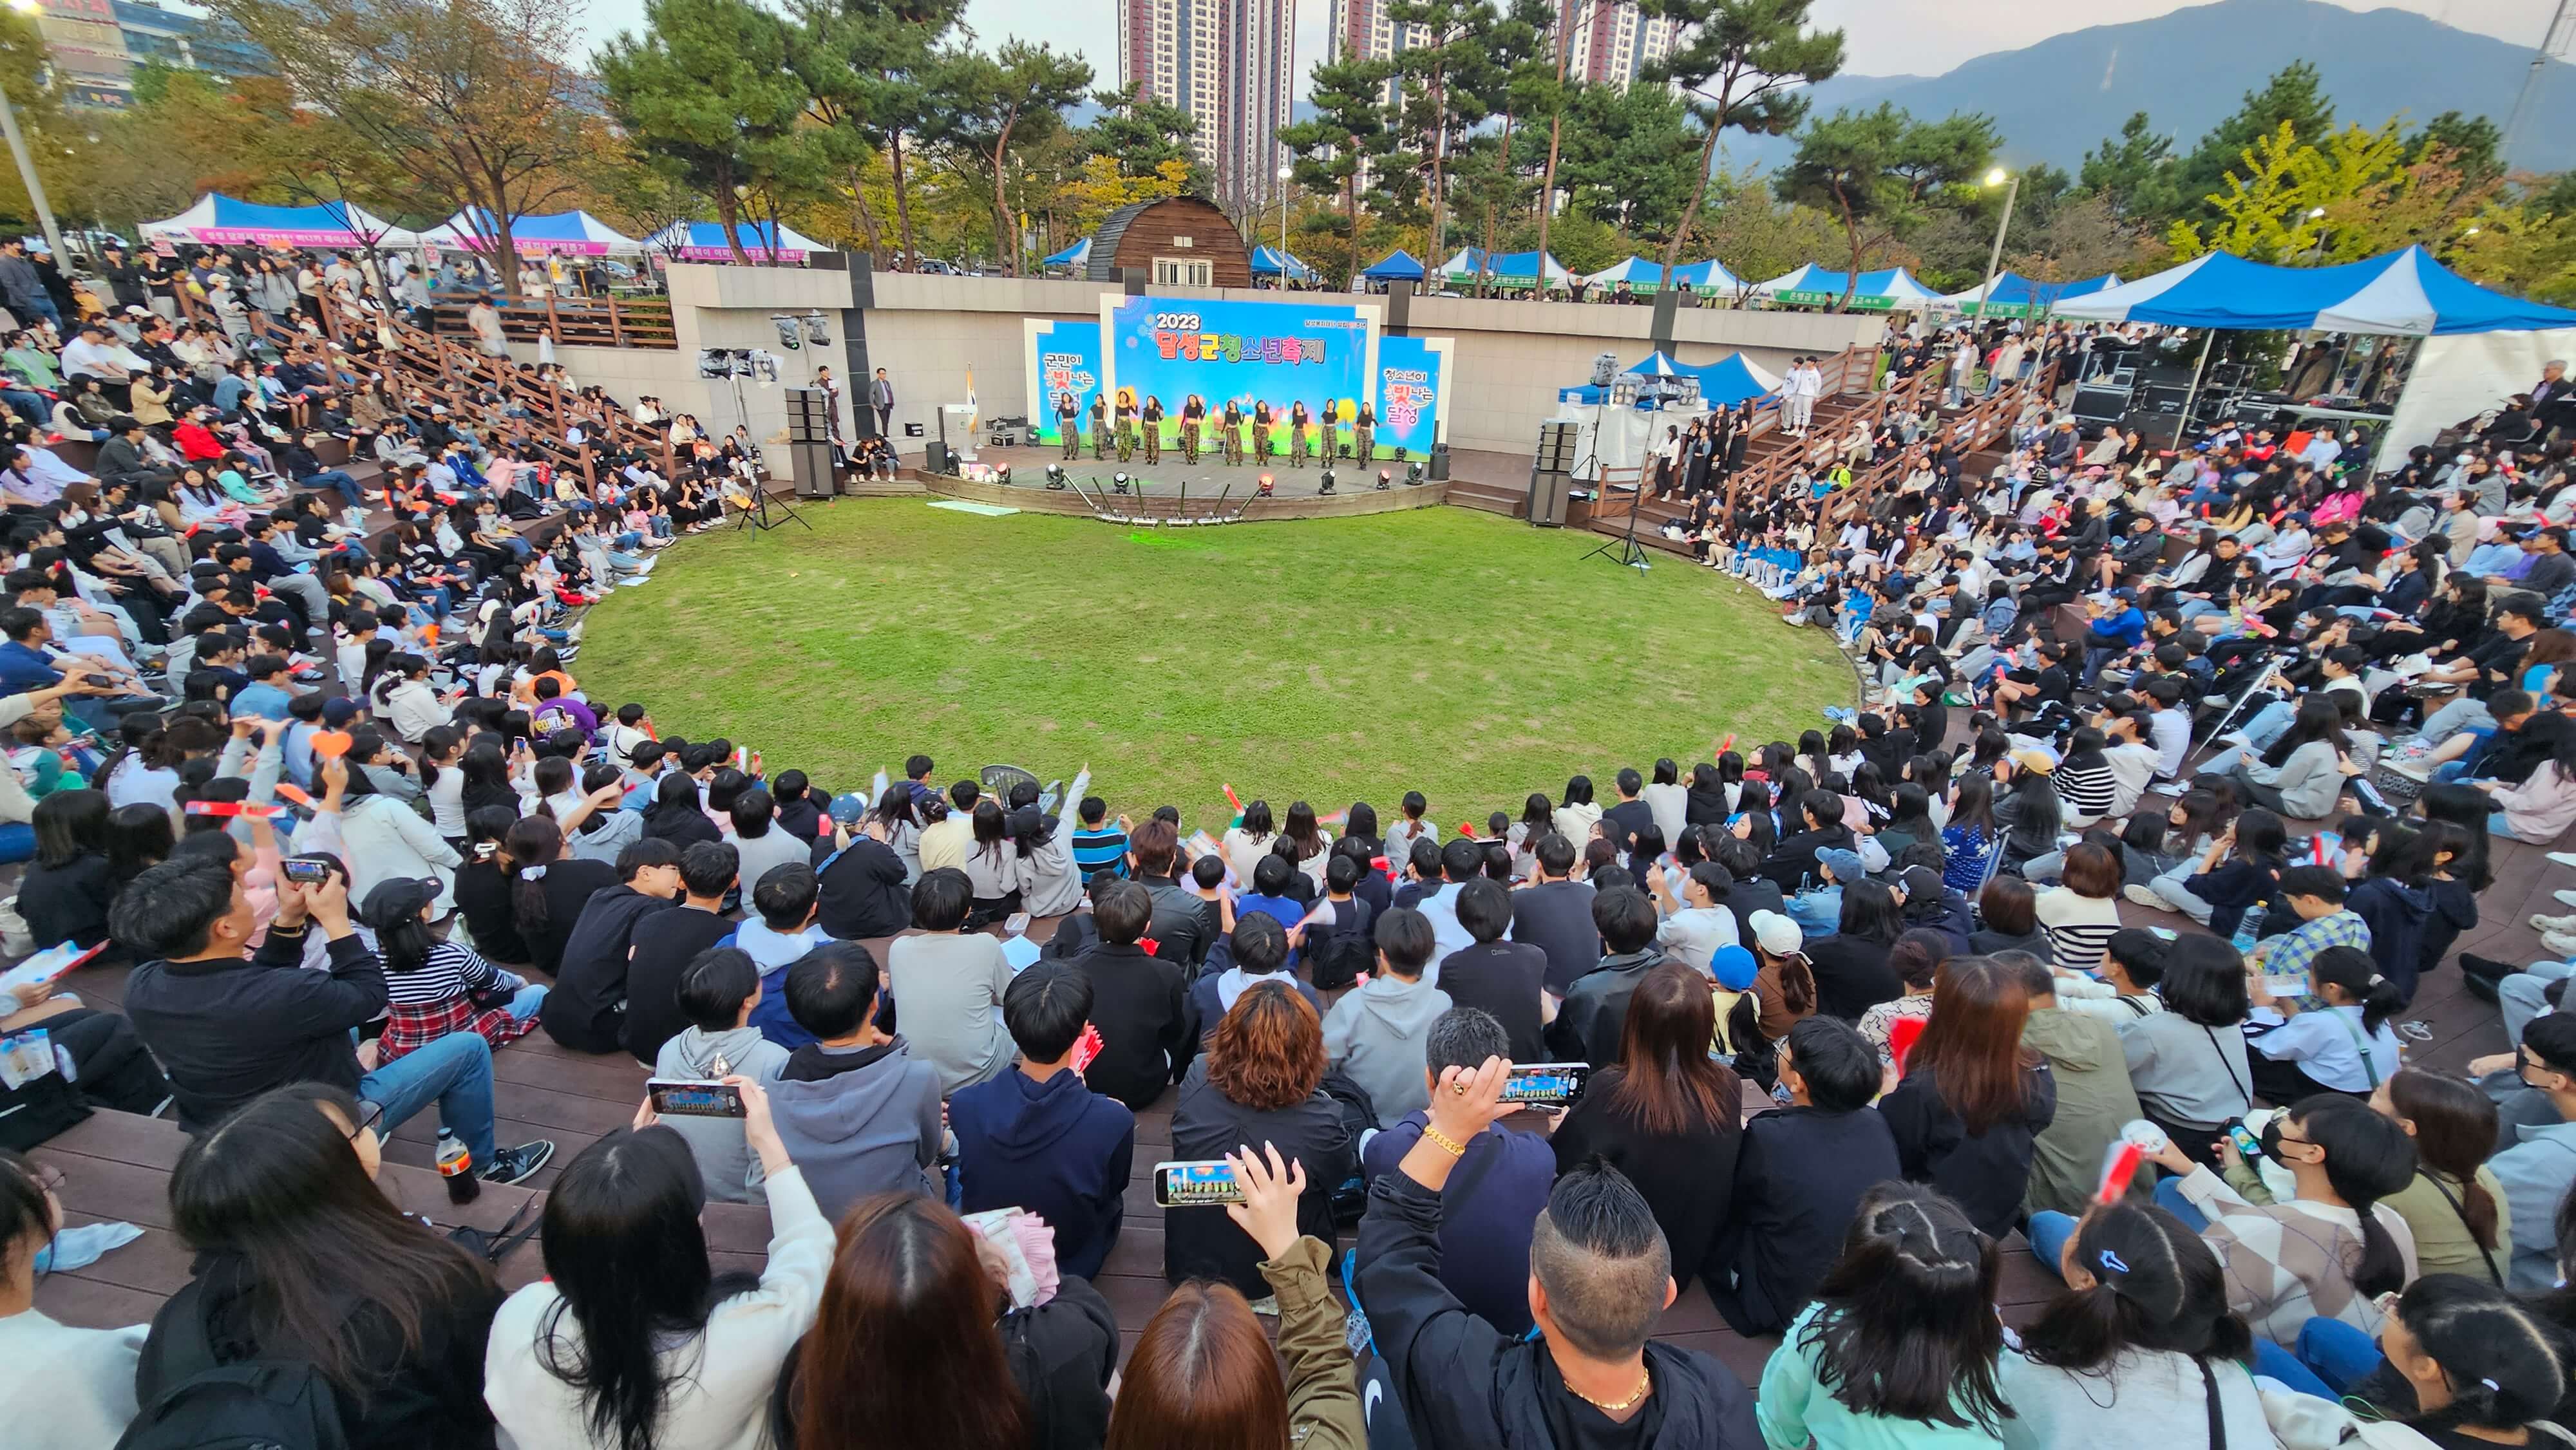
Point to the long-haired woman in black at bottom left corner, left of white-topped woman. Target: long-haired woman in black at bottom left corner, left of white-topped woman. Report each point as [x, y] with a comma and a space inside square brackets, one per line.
[303, 1258]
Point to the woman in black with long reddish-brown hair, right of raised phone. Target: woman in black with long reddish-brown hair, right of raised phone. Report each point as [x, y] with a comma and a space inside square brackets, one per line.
[1665, 1114]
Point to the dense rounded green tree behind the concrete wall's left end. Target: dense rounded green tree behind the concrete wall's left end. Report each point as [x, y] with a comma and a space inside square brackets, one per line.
[710, 94]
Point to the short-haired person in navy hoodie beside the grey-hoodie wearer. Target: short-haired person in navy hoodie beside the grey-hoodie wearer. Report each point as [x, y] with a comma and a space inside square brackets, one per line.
[1042, 1137]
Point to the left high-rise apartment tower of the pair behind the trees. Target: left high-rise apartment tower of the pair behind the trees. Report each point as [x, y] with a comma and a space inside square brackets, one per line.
[1233, 68]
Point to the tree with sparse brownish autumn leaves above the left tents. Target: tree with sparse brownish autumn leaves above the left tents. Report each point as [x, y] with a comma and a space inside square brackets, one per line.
[468, 99]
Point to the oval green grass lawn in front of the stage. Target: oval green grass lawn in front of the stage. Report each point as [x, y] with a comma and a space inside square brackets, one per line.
[1328, 661]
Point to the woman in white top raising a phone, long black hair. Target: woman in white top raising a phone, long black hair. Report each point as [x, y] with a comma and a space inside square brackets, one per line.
[632, 1341]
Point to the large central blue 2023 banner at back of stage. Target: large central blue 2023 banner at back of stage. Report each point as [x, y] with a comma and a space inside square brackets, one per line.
[1245, 354]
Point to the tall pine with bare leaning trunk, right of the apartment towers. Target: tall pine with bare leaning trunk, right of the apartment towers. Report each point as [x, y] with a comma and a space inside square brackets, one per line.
[1740, 68]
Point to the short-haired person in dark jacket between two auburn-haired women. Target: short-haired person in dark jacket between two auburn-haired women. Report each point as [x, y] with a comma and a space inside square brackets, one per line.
[1799, 1178]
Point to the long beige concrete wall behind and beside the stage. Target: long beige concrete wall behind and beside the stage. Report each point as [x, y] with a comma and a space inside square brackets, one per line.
[929, 331]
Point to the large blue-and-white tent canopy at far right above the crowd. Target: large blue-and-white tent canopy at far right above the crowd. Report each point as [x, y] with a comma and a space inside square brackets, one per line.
[2407, 295]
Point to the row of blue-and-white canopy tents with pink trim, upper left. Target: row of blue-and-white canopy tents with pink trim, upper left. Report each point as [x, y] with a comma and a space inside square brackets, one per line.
[225, 223]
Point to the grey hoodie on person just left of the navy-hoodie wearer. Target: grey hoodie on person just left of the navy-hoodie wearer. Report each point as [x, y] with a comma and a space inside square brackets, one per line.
[859, 1122]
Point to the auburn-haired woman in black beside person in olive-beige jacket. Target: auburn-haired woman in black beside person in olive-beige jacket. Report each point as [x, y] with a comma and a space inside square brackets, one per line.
[1975, 1098]
